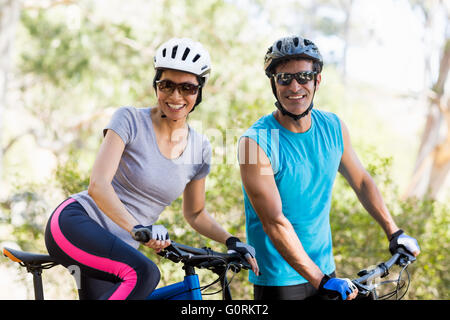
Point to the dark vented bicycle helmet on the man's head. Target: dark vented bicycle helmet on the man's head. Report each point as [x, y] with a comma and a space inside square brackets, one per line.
[289, 48]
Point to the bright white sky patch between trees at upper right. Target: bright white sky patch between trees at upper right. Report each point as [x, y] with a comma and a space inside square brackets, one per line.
[392, 56]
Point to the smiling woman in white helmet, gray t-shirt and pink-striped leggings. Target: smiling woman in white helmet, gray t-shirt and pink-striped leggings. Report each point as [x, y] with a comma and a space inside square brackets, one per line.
[148, 158]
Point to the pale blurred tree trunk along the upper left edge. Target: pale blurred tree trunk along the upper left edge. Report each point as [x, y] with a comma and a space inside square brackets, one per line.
[9, 16]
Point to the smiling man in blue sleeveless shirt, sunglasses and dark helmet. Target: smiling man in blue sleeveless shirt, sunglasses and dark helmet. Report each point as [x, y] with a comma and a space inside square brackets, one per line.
[289, 160]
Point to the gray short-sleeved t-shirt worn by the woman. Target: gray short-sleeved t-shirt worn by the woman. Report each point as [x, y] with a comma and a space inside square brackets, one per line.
[146, 181]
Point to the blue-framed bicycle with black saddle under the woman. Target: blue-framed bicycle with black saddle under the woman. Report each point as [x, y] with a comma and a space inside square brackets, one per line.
[190, 257]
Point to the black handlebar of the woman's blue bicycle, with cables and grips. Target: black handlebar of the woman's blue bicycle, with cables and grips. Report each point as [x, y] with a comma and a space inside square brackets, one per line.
[204, 257]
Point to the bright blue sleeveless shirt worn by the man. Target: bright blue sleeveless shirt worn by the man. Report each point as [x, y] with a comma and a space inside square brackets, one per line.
[305, 166]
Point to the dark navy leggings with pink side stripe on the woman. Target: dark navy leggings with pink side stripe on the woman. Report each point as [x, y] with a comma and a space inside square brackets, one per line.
[110, 268]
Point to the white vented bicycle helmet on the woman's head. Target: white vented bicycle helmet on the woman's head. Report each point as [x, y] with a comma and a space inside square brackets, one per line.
[184, 54]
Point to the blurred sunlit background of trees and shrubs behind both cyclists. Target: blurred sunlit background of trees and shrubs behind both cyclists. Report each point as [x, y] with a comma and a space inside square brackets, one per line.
[65, 66]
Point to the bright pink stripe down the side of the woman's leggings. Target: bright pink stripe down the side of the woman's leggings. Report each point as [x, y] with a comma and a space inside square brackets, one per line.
[123, 271]
